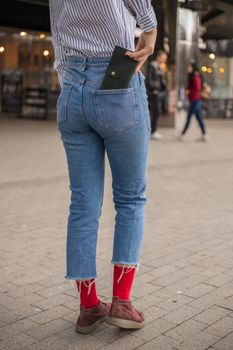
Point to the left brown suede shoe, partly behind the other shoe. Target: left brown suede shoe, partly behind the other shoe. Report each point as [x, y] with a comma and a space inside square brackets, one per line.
[89, 319]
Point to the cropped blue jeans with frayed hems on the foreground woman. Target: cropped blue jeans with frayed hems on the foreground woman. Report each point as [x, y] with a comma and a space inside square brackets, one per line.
[92, 121]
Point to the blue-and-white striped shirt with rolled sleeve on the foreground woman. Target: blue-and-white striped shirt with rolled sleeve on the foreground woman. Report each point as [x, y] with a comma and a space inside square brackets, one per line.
[92, 28]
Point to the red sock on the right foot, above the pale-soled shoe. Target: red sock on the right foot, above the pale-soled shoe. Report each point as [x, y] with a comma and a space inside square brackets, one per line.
[122, 281]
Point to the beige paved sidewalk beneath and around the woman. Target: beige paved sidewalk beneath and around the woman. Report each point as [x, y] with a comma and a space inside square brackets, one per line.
[185, 281]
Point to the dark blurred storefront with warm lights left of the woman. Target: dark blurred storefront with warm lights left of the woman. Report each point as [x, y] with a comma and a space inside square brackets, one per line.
[29, 85]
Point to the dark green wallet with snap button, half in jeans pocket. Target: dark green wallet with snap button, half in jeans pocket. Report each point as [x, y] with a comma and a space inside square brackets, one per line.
[119, 71]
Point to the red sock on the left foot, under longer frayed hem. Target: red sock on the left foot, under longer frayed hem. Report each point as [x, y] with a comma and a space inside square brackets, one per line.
[88, 294]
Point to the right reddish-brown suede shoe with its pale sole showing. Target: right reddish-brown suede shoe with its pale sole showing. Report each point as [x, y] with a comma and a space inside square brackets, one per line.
[123, 314]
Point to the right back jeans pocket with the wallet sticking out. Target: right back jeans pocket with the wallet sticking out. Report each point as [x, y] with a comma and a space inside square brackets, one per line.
[116, 109]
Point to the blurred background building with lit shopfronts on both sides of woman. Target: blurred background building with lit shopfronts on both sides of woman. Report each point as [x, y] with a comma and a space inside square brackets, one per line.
[187, 30]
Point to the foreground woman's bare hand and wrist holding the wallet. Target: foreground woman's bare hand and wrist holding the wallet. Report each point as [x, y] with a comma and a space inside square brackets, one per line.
[145, 47]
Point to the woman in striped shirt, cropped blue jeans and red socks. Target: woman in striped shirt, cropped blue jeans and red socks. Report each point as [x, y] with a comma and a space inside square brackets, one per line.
[91, 122]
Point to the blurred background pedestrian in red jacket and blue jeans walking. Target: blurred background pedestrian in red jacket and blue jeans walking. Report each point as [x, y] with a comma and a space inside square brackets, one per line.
[194, 89]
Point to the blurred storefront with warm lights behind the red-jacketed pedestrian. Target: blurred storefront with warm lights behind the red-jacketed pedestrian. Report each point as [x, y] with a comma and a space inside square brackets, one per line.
[206, 37]
